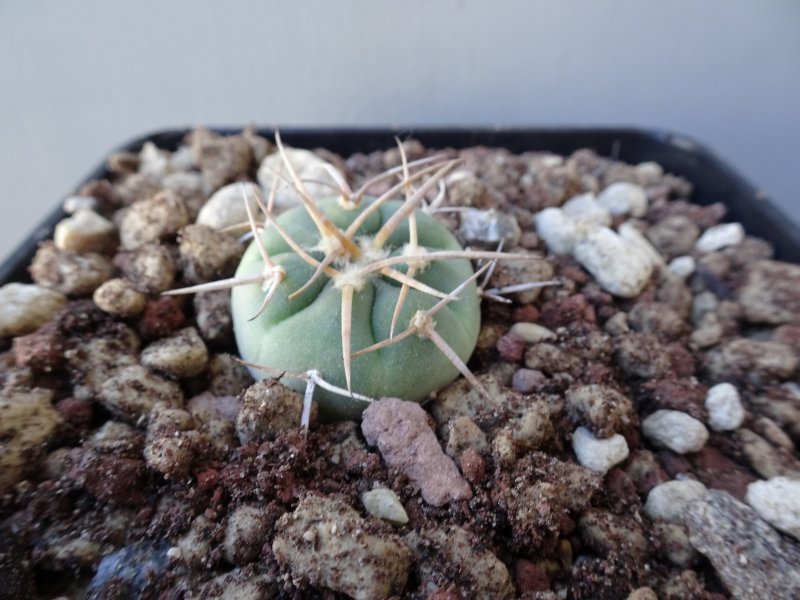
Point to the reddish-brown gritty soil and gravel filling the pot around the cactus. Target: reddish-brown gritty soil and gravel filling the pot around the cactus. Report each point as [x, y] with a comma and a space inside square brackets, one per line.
[163, 471]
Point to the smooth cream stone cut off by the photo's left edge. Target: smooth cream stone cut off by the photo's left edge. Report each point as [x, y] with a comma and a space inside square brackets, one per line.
[26, 307]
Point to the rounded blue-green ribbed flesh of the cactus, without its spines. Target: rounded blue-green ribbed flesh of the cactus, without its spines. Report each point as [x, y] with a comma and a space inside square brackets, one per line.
[306, 333]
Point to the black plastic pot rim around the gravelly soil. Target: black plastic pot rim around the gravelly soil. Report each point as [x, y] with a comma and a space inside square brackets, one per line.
[713, 179]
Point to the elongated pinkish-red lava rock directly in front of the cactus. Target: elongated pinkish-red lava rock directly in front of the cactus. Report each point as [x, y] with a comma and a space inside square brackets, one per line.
[404, 438]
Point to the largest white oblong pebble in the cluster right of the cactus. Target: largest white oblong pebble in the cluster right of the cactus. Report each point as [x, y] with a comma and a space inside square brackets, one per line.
[618, 266]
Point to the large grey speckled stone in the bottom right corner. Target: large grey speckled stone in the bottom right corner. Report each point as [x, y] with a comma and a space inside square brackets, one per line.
[751, 559]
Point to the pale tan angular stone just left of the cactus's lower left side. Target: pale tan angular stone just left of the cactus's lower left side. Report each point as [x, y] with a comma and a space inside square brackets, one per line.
[181, 355]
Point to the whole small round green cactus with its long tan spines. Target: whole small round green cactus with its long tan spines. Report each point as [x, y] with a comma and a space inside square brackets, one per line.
[356, 297]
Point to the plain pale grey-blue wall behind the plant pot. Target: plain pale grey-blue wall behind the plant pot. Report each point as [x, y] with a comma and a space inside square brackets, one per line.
[79, 78]
